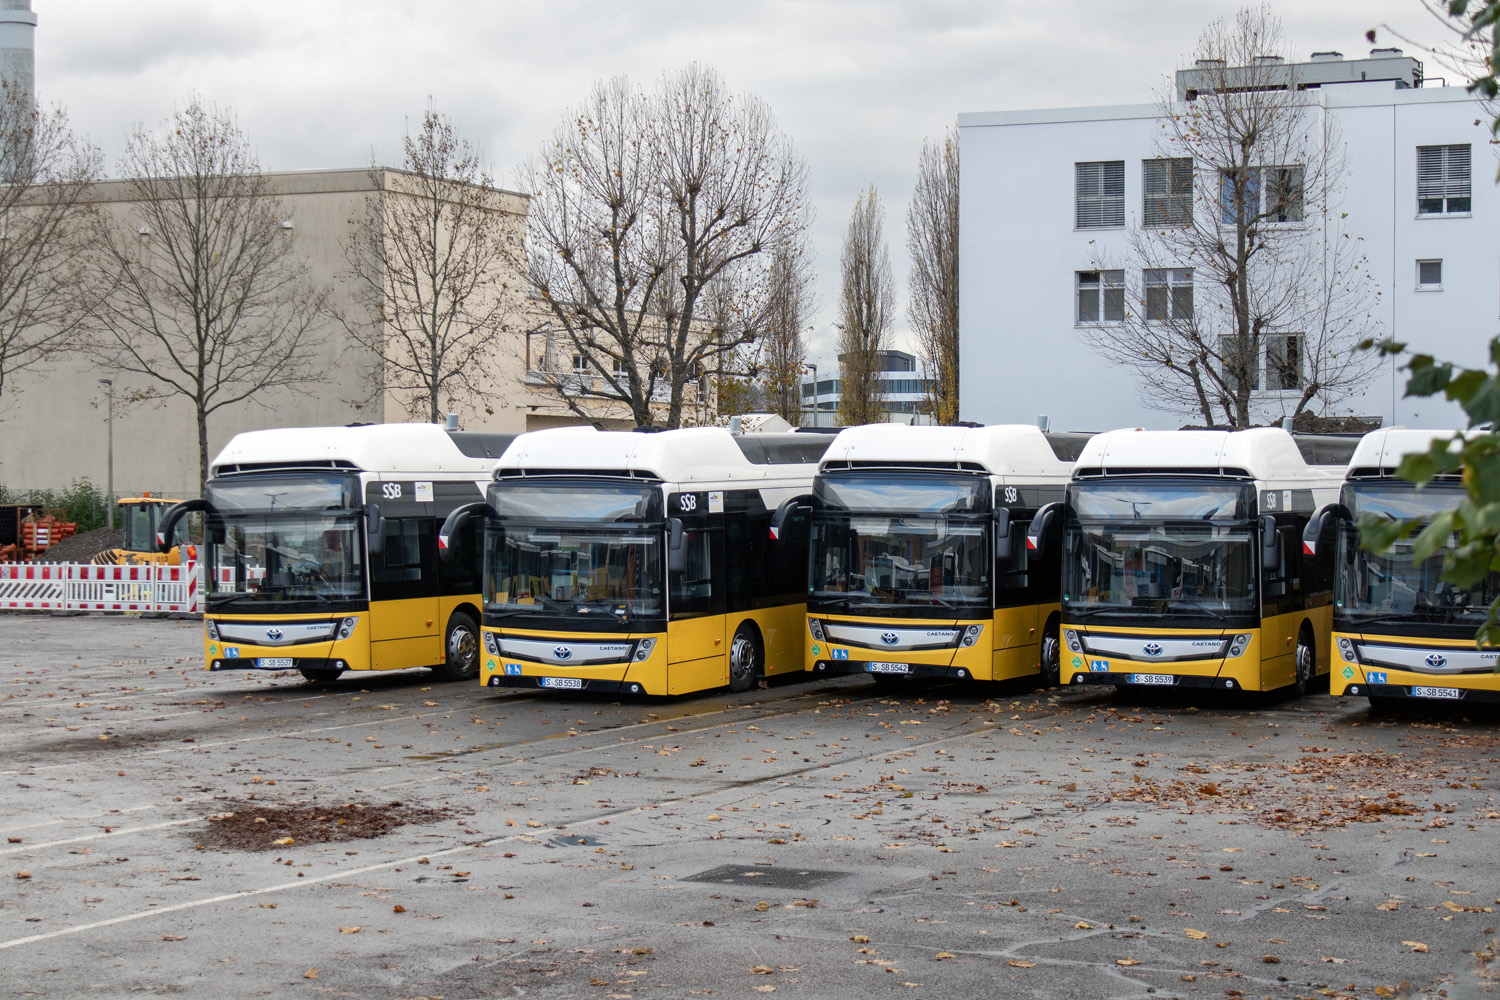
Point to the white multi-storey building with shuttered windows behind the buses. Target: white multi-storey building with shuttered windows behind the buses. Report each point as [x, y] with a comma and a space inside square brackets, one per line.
[1031, 235]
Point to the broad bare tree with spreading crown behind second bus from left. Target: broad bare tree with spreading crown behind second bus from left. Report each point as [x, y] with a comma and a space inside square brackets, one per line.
[641, 205]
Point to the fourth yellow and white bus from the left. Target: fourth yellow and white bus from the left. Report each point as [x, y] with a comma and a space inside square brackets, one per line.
[1183, 560]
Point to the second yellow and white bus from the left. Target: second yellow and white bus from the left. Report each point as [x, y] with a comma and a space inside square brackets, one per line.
[643, 563]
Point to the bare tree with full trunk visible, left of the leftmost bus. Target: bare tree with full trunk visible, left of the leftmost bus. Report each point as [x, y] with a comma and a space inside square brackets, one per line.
[203, 296]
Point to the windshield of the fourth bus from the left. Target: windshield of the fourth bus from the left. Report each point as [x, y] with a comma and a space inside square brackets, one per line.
[1162, 548]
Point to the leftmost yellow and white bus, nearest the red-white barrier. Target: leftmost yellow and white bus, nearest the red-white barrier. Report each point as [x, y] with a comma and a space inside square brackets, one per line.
[320, 551]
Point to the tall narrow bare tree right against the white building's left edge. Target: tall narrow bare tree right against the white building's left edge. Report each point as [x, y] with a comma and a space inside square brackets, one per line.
[932, 241]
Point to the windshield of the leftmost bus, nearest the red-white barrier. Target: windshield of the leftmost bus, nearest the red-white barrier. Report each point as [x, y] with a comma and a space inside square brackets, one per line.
[296, 557]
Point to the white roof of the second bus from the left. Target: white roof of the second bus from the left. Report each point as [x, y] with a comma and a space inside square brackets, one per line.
[674, 457]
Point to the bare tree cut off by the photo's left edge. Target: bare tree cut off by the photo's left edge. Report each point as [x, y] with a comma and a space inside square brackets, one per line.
[46, 182]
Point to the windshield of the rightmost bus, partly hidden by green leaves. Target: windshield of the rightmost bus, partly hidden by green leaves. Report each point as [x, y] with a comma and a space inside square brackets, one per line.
[1393, 584]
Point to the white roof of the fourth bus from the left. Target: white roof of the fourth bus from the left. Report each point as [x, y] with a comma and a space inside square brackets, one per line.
[1262, 454]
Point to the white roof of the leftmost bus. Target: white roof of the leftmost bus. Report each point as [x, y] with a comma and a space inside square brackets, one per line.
[367, 449]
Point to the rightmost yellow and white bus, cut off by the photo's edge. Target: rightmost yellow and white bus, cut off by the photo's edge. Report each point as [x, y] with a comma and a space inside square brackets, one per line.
[1400, 632]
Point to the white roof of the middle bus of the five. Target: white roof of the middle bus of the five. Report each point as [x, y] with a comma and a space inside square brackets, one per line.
[998, 451]
